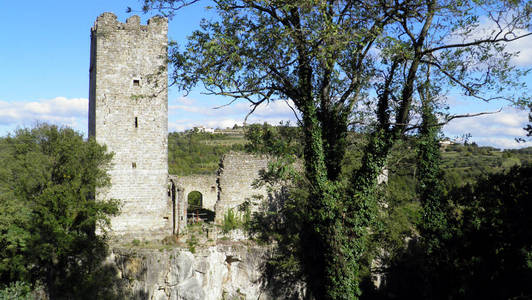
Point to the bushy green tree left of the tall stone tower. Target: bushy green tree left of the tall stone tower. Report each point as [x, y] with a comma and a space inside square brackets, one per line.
[48, 216]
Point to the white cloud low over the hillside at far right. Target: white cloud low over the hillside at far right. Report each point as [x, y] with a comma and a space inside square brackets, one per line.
[499, 130]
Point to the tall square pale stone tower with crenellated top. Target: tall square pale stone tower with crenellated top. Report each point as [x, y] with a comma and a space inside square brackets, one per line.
[128, 112]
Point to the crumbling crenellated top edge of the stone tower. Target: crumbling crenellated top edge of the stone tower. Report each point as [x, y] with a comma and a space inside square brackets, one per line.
[109, 21]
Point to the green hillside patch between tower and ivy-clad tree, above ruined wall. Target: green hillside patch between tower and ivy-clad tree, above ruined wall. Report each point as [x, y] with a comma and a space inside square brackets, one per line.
[193, 152]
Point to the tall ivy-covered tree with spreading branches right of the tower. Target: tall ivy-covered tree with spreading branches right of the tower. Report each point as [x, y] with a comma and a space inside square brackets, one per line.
[328, 59]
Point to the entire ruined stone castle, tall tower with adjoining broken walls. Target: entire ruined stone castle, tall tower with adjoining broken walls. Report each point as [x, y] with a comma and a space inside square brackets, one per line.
[128, 112]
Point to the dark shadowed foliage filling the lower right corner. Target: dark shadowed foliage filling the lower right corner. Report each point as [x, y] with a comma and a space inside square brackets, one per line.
[486, 253]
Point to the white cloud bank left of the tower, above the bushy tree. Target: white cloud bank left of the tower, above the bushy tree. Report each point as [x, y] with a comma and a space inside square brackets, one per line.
[60, 110]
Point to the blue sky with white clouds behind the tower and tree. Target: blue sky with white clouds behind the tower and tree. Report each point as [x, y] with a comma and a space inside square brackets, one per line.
[44, 67]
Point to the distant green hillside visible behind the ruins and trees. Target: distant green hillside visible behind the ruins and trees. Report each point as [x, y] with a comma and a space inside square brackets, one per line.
[193, 152]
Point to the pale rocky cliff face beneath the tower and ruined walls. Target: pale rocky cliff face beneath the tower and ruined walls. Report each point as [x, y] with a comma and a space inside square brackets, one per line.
[224, 271]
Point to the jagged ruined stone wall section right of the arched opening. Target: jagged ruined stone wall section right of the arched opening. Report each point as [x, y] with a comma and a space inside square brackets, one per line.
[236, 175]
